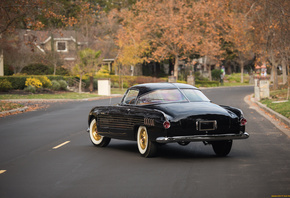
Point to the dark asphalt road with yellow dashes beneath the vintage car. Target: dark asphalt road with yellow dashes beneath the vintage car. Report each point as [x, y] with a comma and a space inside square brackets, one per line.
[35, 166]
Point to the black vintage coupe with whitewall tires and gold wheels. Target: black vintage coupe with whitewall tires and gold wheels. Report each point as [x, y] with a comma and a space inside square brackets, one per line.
[159, 113]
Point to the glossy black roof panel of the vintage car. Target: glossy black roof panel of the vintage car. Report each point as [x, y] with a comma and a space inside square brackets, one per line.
[147, 87]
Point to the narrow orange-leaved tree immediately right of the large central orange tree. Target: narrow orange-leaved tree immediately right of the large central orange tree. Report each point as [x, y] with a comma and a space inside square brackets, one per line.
[211, 30]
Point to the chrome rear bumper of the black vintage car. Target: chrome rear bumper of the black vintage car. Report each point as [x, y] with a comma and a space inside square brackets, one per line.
[197, 138]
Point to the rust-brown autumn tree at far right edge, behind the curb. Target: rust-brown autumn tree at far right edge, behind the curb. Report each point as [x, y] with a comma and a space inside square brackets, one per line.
[271, 33]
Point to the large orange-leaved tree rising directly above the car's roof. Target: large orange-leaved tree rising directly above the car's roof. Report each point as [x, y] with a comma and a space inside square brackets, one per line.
[165, 25]
